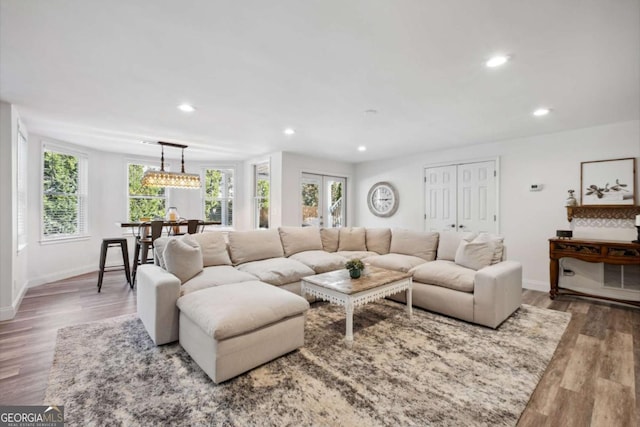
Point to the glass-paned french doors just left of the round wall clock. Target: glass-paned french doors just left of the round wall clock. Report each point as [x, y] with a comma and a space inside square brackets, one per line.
[323, 200]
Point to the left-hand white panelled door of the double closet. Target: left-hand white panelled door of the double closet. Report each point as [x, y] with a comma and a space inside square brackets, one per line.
[440, 198]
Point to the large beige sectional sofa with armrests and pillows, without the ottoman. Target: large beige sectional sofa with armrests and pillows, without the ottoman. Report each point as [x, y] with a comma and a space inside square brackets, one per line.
[459, 275]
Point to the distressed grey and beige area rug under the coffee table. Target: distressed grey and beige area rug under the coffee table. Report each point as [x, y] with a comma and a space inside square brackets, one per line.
[429, 370]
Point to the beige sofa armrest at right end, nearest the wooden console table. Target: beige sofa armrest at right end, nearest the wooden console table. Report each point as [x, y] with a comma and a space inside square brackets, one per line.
[497, 292]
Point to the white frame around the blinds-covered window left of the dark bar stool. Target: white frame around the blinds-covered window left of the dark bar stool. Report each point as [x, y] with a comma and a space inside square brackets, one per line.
[82, 194]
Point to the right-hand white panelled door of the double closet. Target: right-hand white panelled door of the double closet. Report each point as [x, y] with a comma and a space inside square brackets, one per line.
[477, 197]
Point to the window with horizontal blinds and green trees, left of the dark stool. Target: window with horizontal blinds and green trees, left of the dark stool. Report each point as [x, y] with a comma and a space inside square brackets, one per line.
[64, 197]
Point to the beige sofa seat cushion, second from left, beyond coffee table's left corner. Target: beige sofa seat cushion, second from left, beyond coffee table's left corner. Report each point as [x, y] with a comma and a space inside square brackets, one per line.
[277, 271]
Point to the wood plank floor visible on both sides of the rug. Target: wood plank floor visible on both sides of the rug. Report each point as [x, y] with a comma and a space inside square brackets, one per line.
[592, 380]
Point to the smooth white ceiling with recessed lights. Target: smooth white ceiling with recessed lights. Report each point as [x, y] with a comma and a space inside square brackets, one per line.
[109, 74]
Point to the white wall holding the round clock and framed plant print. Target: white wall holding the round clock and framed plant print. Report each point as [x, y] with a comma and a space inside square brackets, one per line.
[527, 219]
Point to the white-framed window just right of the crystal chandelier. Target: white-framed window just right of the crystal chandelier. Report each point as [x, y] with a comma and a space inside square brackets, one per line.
[218, 196]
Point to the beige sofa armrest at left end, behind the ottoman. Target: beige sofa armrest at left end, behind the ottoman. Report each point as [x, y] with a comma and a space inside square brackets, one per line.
[158, 292]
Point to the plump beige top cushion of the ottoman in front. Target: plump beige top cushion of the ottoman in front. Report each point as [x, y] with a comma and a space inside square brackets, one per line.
[230, 310]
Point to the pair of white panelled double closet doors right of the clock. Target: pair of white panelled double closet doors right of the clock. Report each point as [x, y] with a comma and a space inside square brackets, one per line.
[461, 197]
